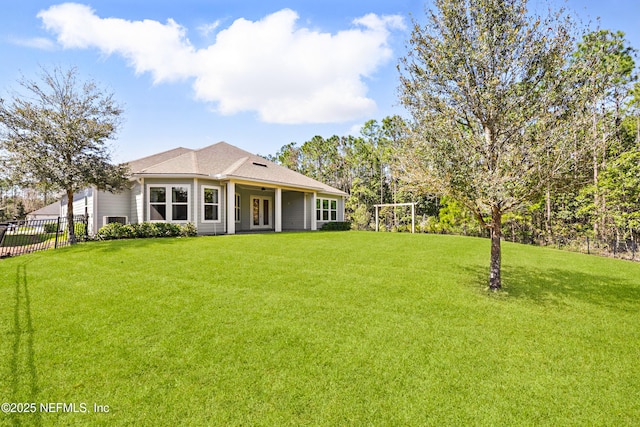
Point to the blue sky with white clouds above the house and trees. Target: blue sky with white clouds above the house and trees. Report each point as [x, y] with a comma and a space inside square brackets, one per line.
[257, 74]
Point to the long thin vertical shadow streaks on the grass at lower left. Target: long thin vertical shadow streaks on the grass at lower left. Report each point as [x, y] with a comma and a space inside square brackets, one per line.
[24, 375]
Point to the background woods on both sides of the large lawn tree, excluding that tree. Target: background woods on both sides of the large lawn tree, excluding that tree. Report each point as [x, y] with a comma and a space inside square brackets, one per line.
[594, 192]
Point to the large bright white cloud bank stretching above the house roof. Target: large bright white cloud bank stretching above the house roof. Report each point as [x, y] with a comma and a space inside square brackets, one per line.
[285, 73]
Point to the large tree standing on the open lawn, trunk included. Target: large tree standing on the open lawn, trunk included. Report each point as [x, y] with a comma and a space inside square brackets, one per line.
[484, 82]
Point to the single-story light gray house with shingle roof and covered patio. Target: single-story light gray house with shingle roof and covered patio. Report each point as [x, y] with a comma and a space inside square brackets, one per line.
[221, 189]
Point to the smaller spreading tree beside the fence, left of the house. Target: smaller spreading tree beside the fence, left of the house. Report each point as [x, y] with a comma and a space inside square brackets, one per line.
[56, 134]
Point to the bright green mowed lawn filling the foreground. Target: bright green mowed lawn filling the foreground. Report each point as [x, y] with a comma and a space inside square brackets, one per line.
[319, 329]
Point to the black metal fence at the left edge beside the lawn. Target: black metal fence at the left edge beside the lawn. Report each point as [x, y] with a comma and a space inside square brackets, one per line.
[21, 237]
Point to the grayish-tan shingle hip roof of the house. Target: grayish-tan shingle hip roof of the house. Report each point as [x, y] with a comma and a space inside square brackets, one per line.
[224, 161]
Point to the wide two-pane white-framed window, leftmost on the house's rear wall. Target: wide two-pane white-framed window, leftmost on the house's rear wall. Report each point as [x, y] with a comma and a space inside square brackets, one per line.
[169, 203]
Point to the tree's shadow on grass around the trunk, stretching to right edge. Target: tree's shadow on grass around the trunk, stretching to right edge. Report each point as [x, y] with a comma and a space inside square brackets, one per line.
[555, 286]
